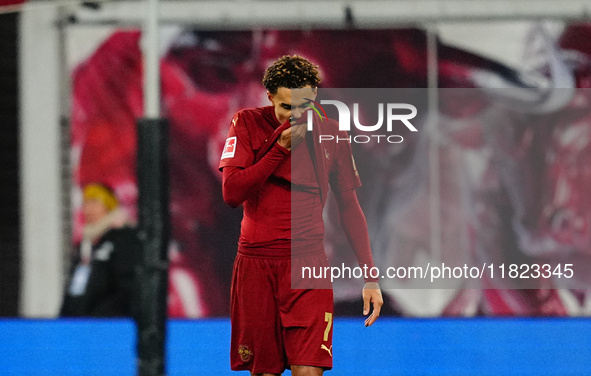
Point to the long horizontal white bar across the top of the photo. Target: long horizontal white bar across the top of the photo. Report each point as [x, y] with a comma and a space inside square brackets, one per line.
[331, 13]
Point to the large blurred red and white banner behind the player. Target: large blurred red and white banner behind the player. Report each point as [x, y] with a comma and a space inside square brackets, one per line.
[475, 193]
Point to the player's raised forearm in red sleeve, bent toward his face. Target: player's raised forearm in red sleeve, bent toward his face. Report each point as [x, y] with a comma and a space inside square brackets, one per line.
[239, 183]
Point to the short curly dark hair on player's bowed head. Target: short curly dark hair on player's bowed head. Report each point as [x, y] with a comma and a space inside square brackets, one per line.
[292, 72]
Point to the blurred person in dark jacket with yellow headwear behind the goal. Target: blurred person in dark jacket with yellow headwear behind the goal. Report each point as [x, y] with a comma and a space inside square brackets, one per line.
[102, 274]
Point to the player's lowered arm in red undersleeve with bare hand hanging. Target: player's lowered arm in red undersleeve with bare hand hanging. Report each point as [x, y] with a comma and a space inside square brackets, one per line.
[355, 227]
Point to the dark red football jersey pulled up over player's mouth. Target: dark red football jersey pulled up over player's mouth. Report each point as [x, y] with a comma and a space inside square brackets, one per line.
[286, 212]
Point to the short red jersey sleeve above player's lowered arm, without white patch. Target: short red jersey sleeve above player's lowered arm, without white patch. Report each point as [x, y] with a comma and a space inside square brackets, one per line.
[344, 175]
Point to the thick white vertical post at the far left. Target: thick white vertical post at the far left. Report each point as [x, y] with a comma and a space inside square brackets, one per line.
[41, 205]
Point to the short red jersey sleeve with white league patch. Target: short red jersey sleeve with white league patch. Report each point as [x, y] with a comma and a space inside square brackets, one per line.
[237, 150]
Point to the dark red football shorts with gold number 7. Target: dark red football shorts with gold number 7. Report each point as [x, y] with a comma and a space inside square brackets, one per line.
[273, 325]
